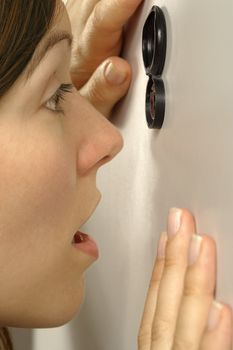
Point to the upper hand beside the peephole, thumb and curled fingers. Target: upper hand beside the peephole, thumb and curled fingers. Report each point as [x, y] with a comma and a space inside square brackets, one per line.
[97, 27]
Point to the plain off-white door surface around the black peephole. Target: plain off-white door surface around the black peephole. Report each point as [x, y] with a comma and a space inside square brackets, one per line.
[188, 163]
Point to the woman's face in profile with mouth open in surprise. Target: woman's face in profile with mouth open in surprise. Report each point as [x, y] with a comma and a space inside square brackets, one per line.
[48, 190]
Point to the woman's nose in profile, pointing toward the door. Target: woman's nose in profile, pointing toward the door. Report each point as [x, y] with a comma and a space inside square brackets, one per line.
[99, 142]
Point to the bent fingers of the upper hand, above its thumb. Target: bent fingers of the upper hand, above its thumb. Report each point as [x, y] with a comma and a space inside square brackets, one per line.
[101, 37]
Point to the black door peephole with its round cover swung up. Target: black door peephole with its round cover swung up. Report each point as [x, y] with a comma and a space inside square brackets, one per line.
[154, 45]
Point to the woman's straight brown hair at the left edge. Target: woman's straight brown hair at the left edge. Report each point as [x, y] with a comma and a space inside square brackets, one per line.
[23, 23]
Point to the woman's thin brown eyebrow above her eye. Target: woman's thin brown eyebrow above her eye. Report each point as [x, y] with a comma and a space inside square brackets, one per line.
[47, 44]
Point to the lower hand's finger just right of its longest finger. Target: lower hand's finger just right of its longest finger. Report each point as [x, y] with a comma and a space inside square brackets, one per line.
[199, 285]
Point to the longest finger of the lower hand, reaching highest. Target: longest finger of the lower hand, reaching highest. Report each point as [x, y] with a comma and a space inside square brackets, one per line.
[181, 227]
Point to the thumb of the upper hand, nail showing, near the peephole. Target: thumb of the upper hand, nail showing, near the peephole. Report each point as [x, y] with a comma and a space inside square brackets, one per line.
[108, 84]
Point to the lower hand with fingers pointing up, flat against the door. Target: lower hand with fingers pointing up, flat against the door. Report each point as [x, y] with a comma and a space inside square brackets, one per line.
[179, 312]
